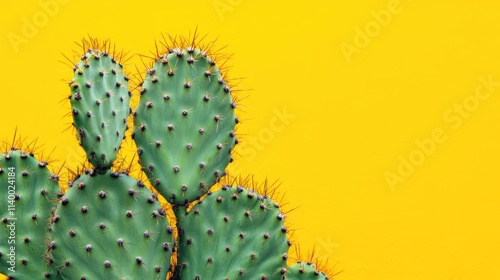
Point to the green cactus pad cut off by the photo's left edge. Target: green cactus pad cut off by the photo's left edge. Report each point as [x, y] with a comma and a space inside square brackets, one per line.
[28, 195]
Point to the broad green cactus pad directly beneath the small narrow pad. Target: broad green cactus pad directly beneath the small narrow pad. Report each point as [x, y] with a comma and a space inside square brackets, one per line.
[110, 226]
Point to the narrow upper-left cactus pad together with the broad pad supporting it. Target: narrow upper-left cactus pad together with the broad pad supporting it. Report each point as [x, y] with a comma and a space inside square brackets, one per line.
[107, 224]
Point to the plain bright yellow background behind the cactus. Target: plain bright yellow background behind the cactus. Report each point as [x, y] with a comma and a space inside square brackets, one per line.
[351, 117]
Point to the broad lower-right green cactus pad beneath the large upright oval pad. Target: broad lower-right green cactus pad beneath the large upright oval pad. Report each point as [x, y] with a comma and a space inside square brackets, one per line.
[233, 233]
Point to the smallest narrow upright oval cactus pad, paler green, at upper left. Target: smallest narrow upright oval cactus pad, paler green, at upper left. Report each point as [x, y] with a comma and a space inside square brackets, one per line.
[100, 103]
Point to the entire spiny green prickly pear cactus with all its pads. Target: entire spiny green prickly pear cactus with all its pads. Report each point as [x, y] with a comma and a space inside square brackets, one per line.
[110, 225]
